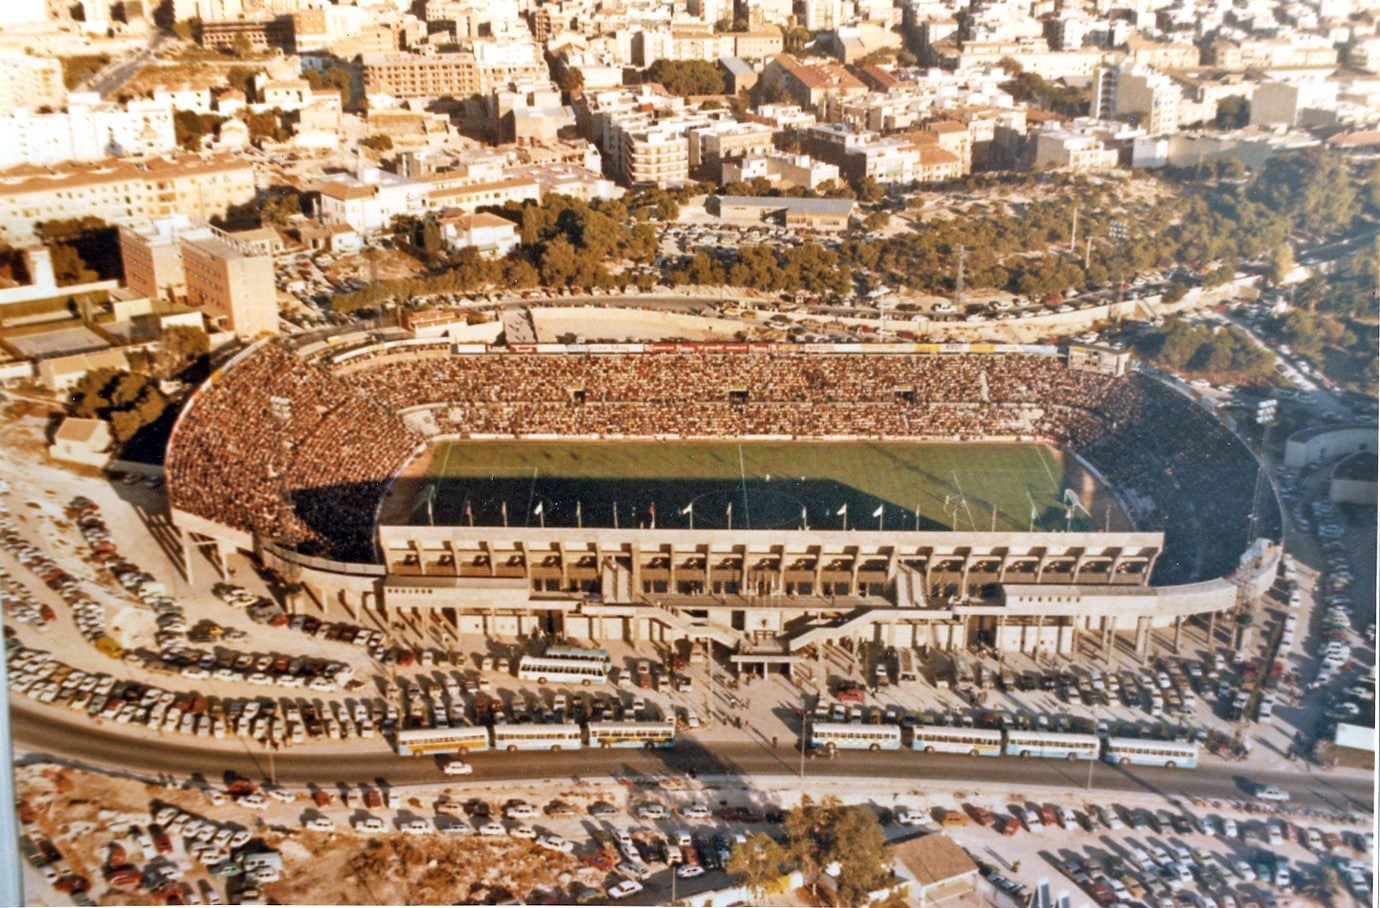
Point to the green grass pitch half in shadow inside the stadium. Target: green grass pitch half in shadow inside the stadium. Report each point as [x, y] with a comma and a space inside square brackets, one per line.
[754, 485]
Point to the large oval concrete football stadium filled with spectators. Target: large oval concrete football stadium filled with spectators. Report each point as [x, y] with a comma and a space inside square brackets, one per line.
[761, 497]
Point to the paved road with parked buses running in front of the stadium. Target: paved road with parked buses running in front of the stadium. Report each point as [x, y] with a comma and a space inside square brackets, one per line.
[42, 736]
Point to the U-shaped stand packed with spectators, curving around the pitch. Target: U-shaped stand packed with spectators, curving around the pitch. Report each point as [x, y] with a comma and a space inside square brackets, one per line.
[302, 449]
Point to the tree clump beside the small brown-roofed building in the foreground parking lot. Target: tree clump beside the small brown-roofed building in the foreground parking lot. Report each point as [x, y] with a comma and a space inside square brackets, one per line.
[818, 837]
